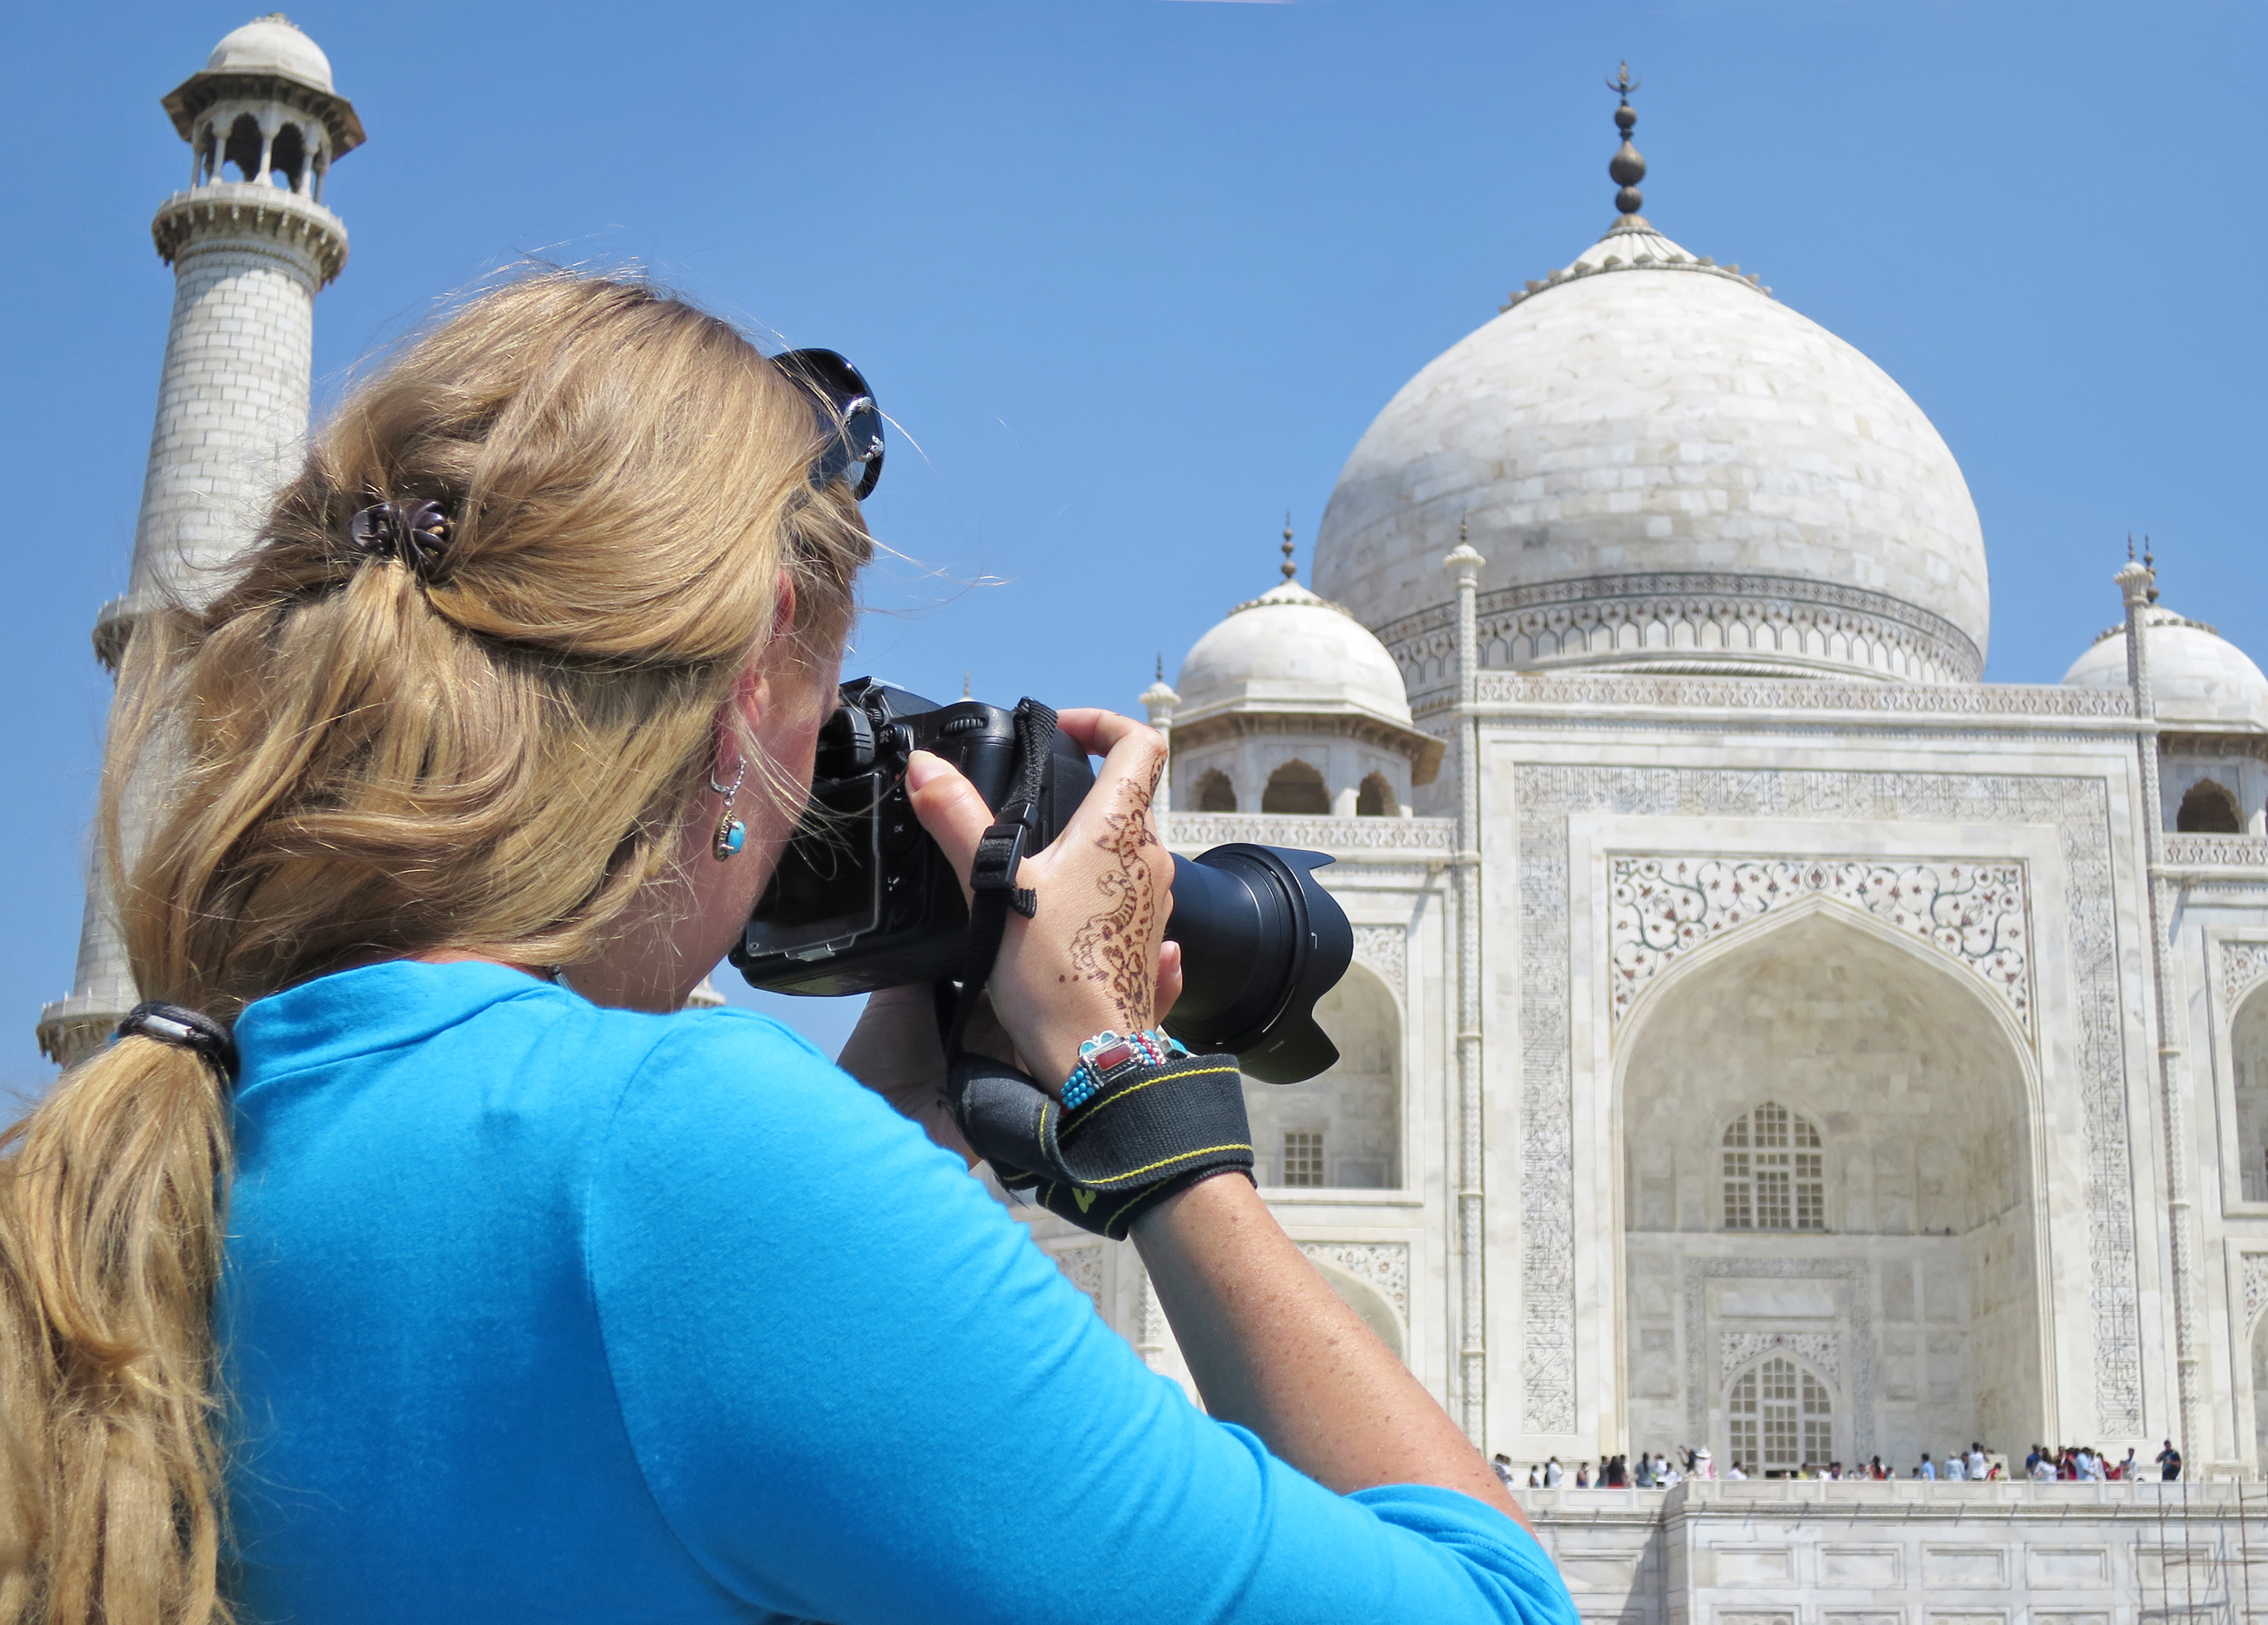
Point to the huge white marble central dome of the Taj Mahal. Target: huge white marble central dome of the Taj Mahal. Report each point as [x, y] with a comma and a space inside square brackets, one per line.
[1664, 466]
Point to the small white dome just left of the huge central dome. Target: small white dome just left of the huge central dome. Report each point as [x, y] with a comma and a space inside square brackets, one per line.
[1292, 650]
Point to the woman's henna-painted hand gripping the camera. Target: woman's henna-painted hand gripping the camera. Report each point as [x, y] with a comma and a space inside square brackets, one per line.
[1094, 954]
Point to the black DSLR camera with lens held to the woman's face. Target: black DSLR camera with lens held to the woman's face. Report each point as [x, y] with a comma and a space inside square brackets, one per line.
[865, 900]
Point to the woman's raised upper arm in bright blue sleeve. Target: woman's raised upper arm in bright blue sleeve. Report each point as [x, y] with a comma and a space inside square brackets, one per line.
[858, 1392]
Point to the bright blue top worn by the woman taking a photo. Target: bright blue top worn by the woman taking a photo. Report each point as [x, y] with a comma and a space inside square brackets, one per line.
[550, 1313]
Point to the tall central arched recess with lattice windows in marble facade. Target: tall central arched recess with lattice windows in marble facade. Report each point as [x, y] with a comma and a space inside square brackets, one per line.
[1827, 1163]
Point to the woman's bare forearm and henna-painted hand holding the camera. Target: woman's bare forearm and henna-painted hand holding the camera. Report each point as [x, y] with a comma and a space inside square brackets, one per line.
[1267, 1340]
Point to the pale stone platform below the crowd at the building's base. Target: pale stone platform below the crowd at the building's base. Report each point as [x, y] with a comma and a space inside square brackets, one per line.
[1911, 1554]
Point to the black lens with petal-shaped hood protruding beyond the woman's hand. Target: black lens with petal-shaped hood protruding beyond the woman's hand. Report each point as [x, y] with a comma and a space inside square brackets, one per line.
[1260, 945]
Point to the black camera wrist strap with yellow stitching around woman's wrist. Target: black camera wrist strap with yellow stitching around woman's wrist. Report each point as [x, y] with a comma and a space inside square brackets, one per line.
[1142, 1136]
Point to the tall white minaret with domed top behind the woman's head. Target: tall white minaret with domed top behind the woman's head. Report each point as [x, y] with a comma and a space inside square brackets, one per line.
[248, 260]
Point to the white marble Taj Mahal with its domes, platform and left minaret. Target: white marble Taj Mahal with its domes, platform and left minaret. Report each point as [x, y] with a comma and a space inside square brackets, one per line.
[1763, 1034]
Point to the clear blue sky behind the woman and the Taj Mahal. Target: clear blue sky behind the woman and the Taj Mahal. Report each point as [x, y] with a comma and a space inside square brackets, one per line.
[1137, 273]
